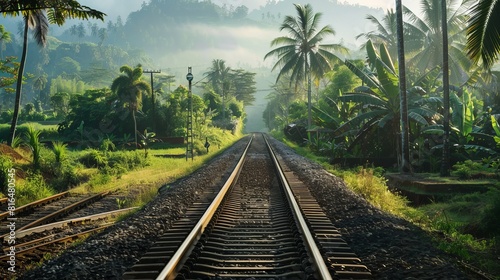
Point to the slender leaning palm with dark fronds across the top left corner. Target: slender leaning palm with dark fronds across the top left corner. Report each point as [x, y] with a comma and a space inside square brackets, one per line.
[38, 15]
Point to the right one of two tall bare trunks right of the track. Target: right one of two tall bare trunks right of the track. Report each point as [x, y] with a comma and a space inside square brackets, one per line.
[445, 160]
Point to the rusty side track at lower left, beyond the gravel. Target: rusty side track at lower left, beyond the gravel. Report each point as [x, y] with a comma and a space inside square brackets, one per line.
[41, 228]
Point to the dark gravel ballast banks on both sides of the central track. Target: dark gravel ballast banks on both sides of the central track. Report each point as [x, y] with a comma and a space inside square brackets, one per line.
[390, 247]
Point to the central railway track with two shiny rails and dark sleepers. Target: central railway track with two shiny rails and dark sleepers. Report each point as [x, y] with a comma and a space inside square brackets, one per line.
[267, 226]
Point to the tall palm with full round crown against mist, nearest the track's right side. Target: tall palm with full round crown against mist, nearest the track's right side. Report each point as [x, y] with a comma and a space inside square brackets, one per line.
[302, 53]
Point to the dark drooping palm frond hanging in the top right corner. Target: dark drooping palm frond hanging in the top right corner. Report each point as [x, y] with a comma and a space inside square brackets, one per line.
[483, 31]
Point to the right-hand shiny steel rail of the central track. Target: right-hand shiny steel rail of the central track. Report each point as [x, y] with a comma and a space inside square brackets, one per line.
[315, 254]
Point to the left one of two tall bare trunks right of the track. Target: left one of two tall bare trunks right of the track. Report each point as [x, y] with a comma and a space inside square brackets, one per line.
[405, 151]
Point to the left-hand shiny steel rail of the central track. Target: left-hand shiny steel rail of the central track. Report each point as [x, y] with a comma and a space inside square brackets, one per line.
[169, 270]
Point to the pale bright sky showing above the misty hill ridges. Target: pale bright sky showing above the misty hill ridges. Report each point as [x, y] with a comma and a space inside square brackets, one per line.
[114, 8]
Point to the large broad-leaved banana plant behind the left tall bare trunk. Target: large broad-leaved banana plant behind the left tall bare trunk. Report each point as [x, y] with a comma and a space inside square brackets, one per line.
[378, 105]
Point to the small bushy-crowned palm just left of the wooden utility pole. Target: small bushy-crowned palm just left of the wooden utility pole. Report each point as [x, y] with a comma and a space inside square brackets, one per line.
[129, 88]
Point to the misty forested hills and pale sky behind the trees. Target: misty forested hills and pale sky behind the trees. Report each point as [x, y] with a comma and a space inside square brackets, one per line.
[173, 34]
